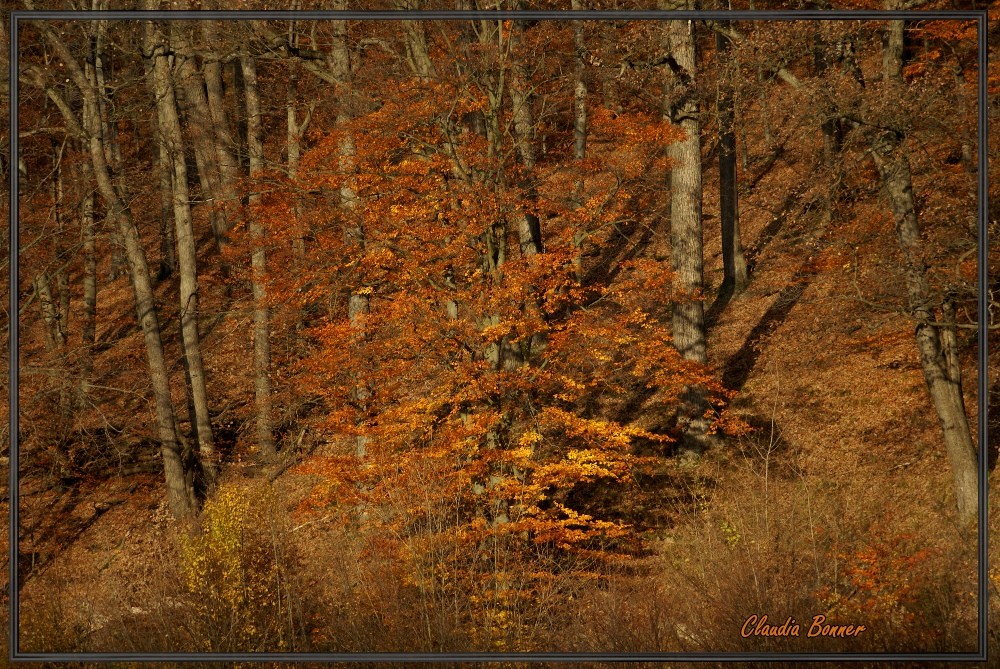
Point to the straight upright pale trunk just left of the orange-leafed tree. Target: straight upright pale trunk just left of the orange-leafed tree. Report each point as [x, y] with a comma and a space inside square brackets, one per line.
[258, 267]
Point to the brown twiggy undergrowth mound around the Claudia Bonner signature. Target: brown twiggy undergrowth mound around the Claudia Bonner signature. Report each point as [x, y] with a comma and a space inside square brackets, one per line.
[794, 547]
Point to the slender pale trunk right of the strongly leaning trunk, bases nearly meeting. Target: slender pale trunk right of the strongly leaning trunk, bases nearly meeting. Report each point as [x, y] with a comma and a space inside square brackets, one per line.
[170, 135]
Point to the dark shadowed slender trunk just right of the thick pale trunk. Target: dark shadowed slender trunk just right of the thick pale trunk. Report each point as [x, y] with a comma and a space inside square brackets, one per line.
[734, 265]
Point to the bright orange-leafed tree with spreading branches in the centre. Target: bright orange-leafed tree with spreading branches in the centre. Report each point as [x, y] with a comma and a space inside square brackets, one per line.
[489, 383]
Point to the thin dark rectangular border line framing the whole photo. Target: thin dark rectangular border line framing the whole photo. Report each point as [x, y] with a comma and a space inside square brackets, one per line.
[981, 18]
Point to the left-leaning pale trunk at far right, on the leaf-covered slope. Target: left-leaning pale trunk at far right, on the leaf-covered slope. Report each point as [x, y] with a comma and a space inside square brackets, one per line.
[936, 344]
